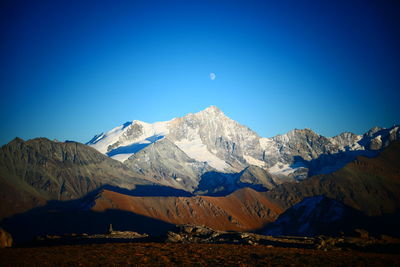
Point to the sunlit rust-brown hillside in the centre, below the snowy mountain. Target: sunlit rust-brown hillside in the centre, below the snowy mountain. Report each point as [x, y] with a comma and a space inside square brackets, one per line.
[243, 210]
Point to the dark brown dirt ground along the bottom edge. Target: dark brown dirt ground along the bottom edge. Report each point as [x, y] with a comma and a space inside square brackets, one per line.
[159, 254]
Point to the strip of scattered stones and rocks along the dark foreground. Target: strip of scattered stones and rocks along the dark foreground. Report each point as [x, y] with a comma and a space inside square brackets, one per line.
[192, 234]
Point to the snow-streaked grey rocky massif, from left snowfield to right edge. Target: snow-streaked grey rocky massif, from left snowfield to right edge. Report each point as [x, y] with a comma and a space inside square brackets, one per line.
[209, 139]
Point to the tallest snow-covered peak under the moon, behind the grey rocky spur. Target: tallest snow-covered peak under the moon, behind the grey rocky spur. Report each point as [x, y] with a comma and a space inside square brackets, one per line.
[206, 136]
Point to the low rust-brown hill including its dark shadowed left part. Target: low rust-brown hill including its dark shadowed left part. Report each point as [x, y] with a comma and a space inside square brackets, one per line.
[243, 210]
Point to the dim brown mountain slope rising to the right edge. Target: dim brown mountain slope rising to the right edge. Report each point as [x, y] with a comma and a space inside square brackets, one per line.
[371, 185]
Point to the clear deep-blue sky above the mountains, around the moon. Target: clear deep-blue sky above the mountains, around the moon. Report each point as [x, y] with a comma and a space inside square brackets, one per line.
[73, 69]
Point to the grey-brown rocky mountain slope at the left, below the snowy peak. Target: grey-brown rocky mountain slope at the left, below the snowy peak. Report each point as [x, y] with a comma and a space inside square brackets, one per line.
[38, 170]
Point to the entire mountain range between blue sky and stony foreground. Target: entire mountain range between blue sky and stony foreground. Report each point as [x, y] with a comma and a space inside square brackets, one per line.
[205, 169]
